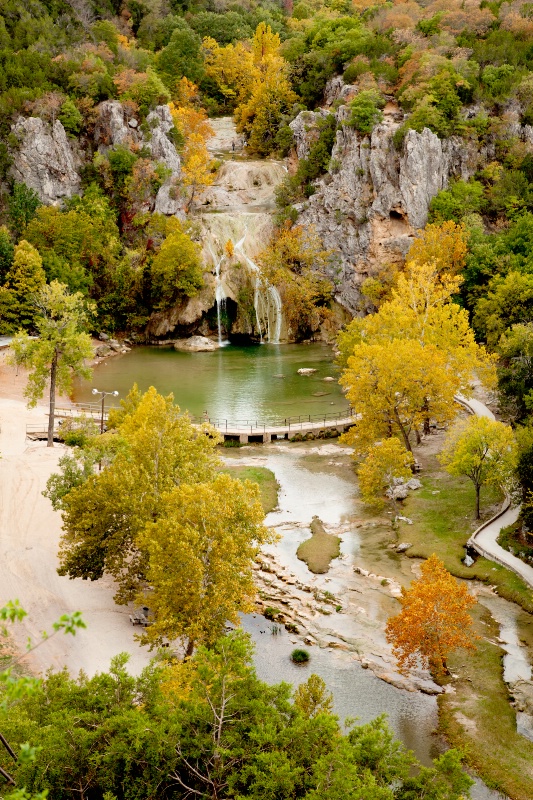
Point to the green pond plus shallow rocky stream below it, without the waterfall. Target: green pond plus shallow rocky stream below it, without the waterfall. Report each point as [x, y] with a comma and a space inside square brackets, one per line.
[315, 478]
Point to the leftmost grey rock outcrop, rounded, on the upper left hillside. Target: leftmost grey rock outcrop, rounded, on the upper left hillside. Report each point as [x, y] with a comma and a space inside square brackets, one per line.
[44, 160]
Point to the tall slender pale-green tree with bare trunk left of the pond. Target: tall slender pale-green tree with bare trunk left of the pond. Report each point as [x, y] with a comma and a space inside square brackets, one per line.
[60, 349]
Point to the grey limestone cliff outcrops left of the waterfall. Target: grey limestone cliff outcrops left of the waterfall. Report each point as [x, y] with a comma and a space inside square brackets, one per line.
[48, 161]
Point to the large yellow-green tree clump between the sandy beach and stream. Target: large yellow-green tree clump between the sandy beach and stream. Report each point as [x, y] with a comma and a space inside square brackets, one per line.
[162, 521]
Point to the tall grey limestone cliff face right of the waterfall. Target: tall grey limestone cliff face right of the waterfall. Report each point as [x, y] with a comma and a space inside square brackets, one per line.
[369, 205]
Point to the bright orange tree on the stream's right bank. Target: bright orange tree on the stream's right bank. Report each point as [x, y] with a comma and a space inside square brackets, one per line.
[434, 620]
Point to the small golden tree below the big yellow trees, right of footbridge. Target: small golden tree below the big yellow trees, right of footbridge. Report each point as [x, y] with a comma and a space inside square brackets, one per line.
[384, 462]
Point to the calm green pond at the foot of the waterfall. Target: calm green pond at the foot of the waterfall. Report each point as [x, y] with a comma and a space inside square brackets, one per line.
[233, 383]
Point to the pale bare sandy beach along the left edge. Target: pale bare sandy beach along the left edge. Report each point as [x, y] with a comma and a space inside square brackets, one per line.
[29, 535]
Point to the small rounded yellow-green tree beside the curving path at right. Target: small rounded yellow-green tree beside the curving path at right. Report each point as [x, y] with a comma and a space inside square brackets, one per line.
[483, 450]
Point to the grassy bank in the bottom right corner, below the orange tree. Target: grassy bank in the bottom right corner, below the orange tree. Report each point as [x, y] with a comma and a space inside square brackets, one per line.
[479, 720]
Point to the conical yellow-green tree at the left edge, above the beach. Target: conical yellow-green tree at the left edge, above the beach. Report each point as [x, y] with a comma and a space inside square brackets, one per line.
[17, 297]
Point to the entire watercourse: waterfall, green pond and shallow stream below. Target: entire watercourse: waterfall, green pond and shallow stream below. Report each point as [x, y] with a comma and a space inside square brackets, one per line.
[261, 383]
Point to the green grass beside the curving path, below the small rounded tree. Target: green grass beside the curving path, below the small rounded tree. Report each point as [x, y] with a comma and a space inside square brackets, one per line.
[443, 514]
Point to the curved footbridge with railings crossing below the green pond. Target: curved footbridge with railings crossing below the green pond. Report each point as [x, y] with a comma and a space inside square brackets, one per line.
[294, 428]
